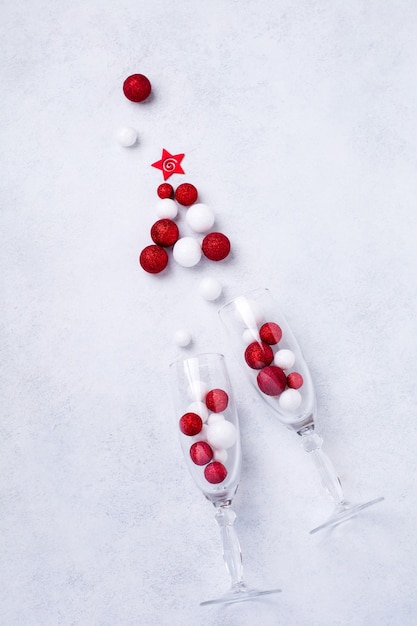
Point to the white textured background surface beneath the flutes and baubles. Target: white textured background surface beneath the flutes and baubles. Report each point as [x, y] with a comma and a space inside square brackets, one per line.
[298, 120]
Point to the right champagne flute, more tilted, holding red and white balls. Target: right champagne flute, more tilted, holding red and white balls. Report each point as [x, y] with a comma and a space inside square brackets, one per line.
[264, 345]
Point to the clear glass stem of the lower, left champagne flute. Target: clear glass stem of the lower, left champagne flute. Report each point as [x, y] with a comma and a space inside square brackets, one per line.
[232, 554]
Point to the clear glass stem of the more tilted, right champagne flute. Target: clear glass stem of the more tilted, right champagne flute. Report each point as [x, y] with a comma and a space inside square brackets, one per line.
[312, 443]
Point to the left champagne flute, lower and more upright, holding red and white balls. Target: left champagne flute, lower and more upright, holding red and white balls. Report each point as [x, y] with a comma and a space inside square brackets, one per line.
[209, 435]
